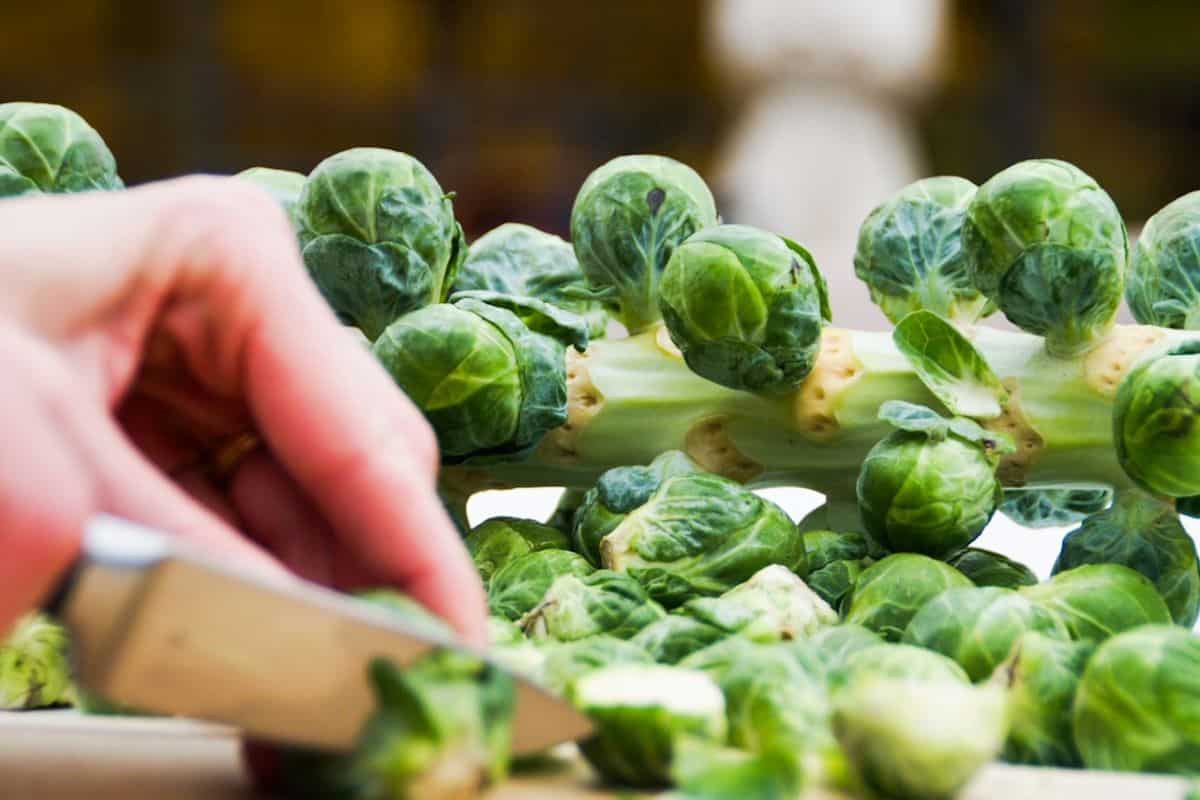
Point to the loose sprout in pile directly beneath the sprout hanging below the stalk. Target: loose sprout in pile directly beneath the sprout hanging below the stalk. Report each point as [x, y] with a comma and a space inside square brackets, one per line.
[891, 592]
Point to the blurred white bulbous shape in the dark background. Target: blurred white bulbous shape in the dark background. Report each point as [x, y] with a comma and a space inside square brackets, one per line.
[826, 133]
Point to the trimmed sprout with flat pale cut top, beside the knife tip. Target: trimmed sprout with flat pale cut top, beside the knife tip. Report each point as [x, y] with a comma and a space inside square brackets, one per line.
[641, 713]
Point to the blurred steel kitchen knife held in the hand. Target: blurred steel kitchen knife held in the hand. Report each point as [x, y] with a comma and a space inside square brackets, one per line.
[160, 627]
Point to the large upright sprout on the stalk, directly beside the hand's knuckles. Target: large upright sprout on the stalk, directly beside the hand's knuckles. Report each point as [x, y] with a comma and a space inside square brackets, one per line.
[379, 237]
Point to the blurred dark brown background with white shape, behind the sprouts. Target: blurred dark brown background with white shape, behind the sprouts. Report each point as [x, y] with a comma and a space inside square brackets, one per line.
[802, 115]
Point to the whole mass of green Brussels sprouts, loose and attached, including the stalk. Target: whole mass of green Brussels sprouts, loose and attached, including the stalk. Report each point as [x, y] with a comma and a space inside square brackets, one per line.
[662, 368]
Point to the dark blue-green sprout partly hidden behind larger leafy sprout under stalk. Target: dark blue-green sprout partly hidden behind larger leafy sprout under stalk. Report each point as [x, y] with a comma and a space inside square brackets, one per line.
[619, 492]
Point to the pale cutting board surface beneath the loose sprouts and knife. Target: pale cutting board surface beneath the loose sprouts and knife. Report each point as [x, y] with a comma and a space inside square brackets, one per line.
[67, 756]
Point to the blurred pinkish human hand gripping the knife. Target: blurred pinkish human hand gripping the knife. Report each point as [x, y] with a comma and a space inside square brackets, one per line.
[140, 332]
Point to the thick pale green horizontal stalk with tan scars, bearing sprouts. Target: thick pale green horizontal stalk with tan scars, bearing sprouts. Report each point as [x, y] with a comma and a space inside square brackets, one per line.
[633, 399]
